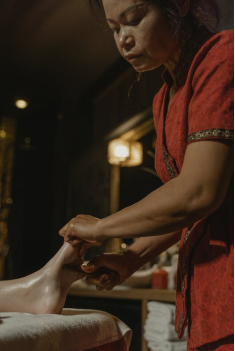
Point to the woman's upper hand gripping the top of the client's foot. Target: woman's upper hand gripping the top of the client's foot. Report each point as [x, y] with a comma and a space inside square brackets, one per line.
[81, 231]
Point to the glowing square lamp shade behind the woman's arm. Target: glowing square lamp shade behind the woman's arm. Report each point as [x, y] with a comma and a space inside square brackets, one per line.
[125, 153]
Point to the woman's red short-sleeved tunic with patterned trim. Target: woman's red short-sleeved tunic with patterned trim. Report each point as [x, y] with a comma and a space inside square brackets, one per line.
[202, 109]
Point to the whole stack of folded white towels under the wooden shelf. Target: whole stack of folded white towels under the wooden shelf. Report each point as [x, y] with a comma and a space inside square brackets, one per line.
[160, 330]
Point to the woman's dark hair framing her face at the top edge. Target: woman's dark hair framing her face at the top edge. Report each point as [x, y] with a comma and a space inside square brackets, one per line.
[202, 13]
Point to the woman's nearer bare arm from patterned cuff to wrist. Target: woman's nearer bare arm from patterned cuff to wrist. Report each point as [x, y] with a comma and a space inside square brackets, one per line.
[198, 191]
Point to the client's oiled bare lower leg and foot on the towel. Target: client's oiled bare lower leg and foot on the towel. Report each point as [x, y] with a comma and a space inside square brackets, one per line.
[45, 291]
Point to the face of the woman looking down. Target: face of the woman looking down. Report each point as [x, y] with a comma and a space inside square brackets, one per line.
[142, 33]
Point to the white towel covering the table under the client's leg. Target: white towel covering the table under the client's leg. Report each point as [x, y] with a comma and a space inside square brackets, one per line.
[74, 330]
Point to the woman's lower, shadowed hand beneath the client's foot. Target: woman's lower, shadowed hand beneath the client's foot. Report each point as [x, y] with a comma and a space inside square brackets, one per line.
[118, 264]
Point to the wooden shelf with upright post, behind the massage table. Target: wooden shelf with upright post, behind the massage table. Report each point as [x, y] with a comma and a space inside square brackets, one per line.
[143, 295]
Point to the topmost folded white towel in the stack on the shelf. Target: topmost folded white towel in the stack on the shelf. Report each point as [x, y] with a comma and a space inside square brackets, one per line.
[162, 310]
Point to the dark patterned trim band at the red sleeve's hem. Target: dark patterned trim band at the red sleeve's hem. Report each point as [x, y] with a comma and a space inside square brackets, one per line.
[211, 134]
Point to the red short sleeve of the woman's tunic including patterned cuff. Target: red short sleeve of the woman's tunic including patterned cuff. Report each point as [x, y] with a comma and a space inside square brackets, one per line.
[211, 110]
